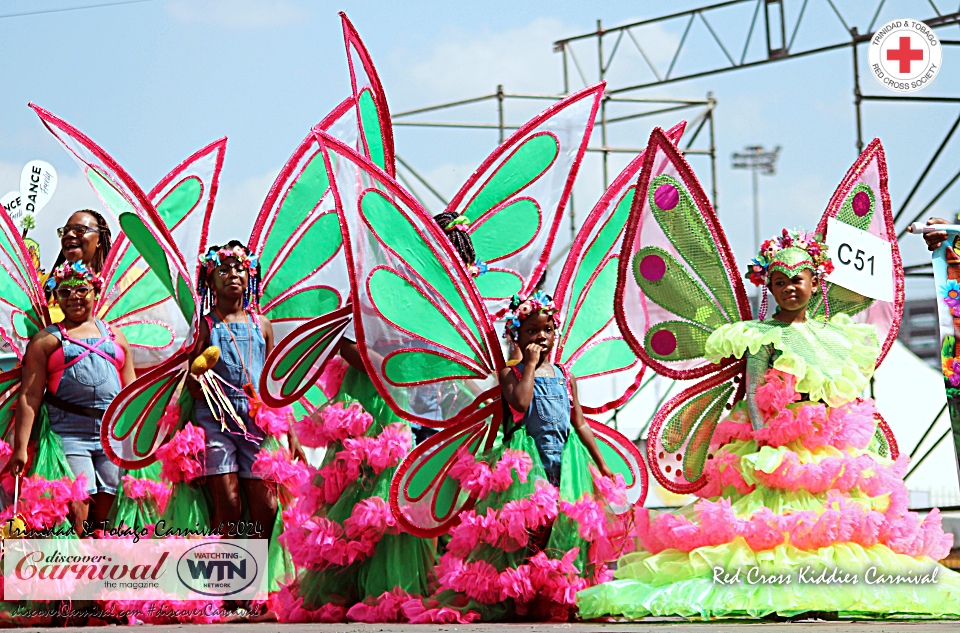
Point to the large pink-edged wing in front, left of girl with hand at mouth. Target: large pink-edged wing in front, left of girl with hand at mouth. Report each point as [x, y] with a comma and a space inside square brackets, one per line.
[419, 319]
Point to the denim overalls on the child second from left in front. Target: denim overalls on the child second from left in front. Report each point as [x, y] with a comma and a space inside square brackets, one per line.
[229, 451]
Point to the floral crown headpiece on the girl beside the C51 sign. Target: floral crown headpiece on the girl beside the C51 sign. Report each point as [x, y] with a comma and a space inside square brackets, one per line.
[790, 252]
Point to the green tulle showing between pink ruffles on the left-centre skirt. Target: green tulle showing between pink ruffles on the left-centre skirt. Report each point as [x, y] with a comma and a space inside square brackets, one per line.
[400, 561]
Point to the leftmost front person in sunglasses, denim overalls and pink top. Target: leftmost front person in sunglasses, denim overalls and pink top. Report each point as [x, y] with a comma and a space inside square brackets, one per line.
[71, 372]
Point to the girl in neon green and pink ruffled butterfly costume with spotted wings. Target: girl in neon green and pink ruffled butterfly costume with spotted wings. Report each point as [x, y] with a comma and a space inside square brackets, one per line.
[801, 480]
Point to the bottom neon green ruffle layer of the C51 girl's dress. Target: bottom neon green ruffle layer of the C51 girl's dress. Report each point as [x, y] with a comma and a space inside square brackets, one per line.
[782, 581]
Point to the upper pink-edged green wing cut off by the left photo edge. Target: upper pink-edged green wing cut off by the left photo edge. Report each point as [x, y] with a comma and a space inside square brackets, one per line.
[23, 308]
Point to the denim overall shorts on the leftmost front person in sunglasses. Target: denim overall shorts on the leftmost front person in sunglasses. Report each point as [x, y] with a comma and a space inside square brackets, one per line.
[90, 378]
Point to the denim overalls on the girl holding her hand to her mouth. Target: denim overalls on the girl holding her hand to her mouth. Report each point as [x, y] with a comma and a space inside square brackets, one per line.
[548, 419]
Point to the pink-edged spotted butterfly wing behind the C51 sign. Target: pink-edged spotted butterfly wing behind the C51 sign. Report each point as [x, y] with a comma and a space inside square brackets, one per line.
[863, 201]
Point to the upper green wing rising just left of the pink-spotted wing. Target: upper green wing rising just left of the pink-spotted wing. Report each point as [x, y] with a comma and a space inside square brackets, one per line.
[590, 346]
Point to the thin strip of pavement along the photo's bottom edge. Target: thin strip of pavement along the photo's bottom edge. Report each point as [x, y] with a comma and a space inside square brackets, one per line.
[659, 626]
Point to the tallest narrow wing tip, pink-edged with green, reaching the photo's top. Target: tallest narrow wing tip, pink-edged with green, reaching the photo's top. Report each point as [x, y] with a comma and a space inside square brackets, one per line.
[375, 138]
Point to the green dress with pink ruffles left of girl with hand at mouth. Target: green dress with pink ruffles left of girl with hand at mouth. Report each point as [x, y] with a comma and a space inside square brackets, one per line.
[341, 534]
